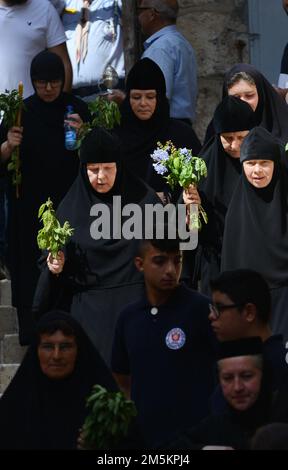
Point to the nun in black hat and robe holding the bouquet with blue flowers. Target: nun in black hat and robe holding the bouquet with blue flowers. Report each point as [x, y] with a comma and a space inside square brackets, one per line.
[232, 120]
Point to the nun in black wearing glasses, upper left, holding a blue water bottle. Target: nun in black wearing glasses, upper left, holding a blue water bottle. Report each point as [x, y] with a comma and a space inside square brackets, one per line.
[47, 170]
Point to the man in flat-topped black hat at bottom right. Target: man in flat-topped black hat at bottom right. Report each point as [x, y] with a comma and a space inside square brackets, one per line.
[245, 386]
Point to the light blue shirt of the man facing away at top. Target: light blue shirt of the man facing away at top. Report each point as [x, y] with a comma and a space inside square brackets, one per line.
[176, 58]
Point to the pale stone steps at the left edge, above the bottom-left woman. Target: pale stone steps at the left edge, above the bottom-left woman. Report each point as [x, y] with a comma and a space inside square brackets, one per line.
[11, 353]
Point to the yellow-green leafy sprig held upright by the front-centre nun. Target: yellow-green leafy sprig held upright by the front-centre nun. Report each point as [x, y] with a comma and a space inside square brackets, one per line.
[52, 236]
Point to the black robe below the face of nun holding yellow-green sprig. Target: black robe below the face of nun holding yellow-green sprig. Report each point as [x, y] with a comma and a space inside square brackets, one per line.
[99, 277]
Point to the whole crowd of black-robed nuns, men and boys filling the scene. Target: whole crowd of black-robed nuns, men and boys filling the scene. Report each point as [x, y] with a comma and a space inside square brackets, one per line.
[200, 351]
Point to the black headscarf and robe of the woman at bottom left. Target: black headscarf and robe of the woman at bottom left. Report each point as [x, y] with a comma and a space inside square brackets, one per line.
[39, 413]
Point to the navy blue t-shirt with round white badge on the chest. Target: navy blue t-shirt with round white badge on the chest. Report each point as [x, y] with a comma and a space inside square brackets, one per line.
[169, 351]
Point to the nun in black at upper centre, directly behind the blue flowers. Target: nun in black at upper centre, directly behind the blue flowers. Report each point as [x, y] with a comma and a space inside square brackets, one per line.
[139, 134]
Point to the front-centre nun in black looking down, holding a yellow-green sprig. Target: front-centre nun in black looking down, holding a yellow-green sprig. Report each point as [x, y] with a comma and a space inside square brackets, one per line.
[99, 276]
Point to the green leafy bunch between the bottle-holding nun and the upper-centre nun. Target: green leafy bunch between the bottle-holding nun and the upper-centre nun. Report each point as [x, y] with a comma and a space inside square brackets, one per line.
[104, 114]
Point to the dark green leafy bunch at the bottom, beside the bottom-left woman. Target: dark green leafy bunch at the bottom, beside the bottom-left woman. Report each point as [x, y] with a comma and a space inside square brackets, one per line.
[109, 418]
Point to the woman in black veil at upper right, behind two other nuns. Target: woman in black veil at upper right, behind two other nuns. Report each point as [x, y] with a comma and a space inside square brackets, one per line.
[271, 111]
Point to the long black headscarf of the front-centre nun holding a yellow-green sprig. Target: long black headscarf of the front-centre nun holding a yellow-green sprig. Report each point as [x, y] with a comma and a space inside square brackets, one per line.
[107, 261]
